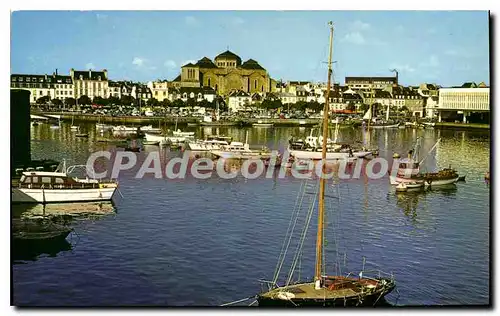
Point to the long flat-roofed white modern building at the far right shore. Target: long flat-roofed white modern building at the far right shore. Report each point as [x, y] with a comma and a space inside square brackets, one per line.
[463, 101]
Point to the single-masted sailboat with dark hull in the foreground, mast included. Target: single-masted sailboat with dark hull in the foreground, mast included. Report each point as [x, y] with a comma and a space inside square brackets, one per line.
[327, 290]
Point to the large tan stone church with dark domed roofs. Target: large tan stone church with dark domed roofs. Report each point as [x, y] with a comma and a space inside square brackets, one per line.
[225, 74]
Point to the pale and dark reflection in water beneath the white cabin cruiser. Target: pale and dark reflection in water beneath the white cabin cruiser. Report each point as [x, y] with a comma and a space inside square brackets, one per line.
[39, 230]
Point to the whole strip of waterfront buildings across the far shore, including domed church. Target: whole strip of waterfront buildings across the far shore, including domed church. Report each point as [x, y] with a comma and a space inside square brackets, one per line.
[425, 100]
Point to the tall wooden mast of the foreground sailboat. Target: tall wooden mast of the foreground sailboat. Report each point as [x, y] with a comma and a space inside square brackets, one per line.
[321, 209]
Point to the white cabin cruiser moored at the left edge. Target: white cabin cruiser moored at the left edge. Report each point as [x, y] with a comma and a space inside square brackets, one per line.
[59, 186]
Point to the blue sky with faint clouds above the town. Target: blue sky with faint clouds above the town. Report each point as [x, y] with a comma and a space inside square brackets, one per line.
[443, 47]
